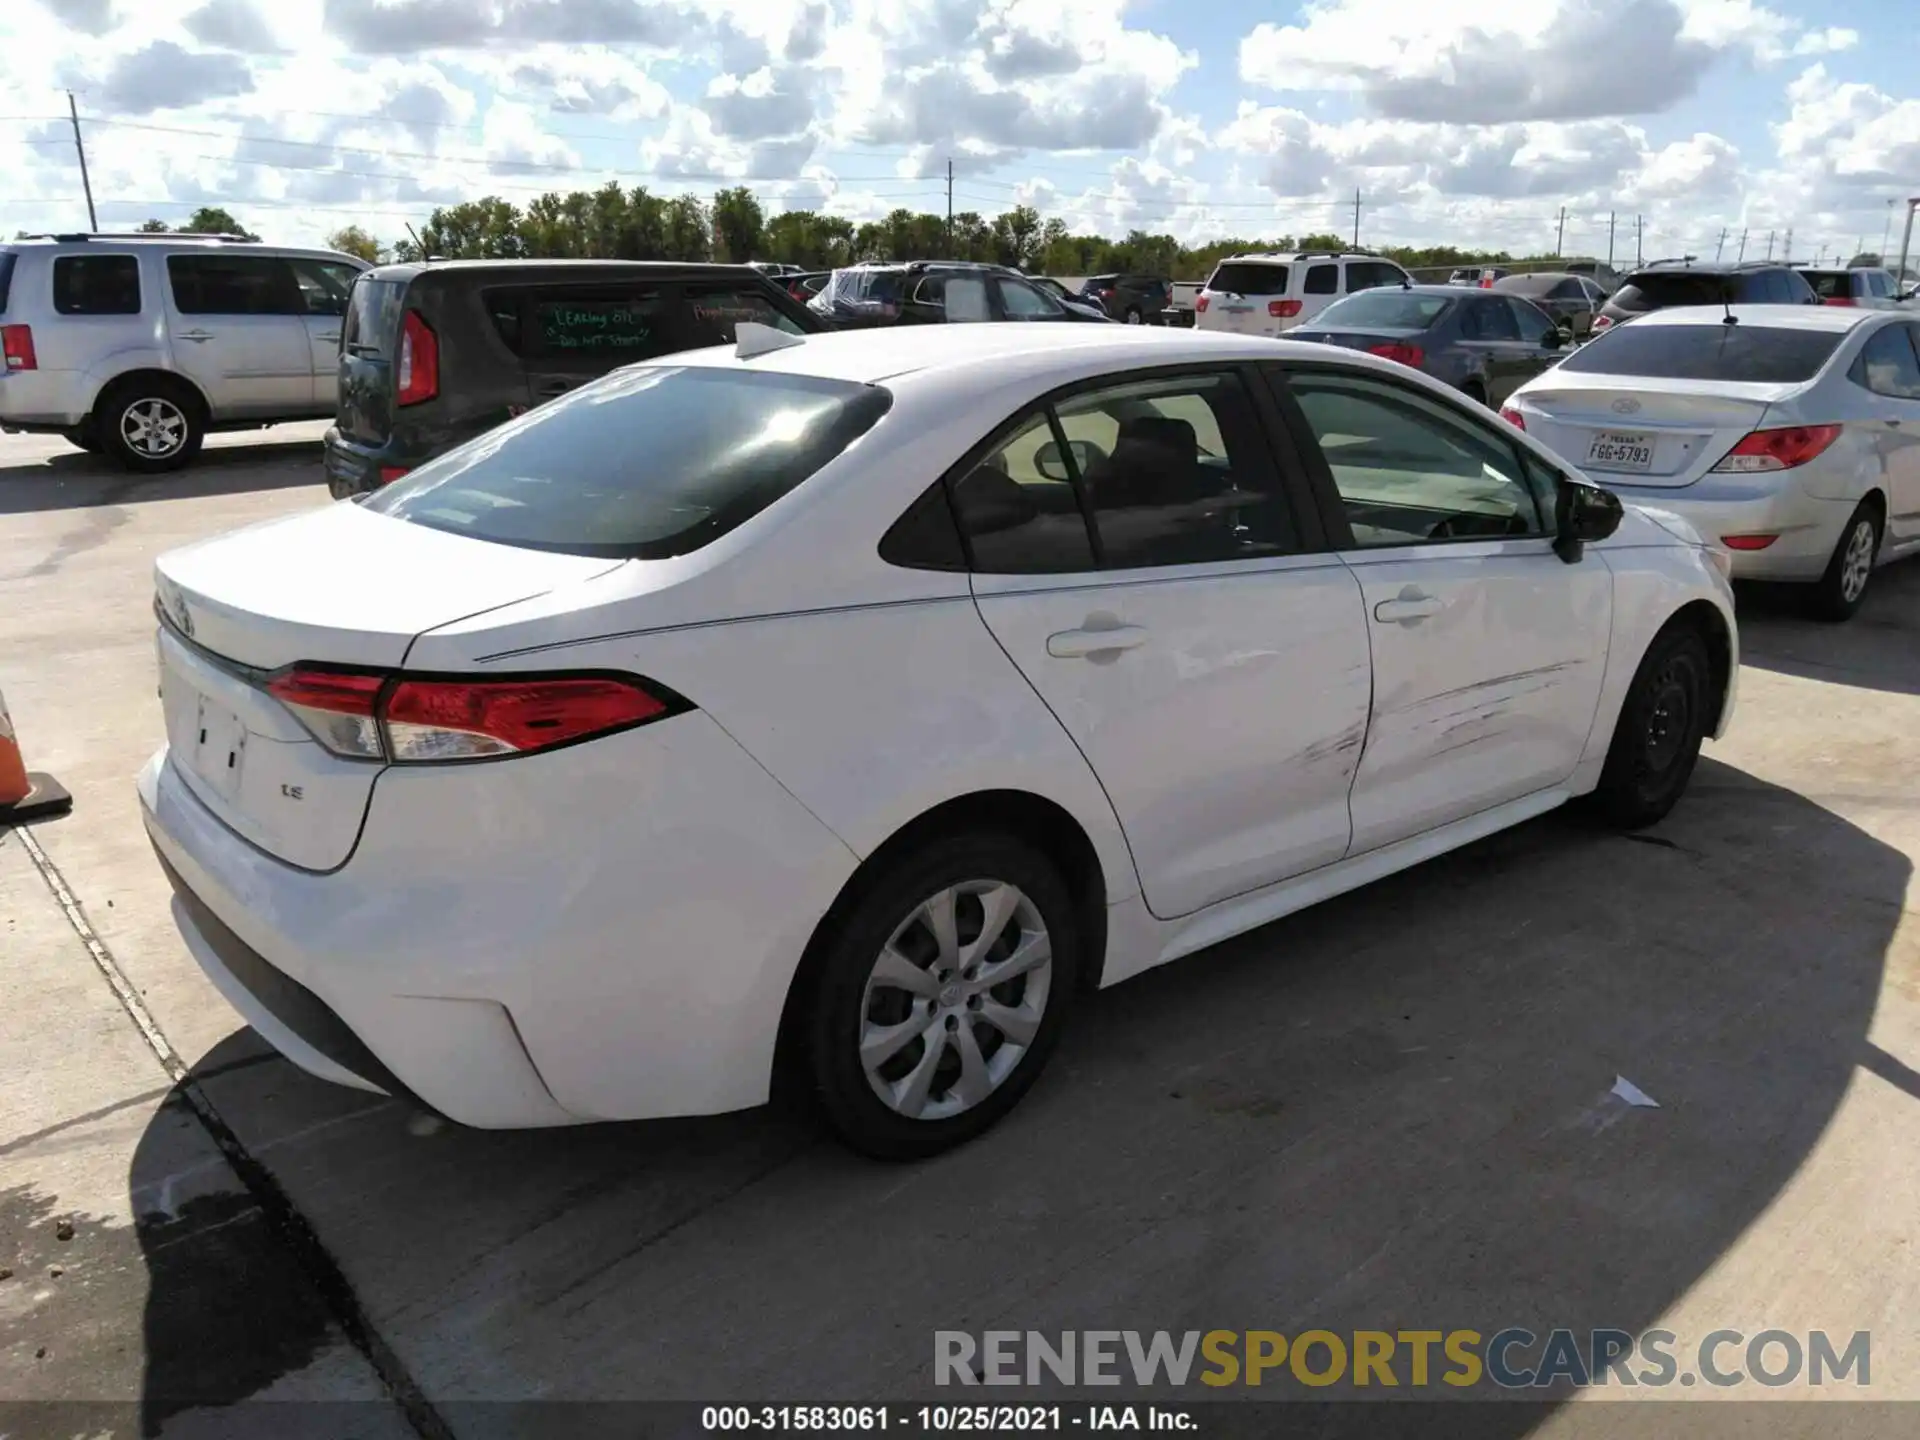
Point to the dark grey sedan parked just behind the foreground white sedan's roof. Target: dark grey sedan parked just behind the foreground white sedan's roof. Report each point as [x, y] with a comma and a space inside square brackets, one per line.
[1481, 343]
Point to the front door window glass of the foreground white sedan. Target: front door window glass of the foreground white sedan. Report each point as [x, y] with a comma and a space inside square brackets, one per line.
[1410, 471]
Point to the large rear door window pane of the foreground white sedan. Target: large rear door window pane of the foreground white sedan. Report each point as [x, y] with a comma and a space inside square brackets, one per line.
[1178, 473]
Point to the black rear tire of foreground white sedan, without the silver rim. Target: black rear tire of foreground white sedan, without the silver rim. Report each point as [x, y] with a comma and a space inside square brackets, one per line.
[842, 1003]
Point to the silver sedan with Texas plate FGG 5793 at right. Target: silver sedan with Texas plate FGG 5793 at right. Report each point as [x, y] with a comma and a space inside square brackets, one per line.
[1785, 433]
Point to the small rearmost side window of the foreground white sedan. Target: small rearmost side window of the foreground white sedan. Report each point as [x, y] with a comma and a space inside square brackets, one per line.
[1020, 510]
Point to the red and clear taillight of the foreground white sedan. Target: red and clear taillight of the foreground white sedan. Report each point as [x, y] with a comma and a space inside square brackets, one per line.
[368, 715]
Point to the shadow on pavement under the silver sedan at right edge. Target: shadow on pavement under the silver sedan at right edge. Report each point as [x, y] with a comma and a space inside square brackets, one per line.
[1879, 648]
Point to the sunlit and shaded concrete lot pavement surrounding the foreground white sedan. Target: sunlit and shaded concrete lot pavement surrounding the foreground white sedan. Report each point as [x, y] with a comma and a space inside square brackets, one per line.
[1389, 1113]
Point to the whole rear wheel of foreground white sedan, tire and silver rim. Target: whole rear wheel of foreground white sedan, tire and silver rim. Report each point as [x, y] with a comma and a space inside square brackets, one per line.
[942, 996]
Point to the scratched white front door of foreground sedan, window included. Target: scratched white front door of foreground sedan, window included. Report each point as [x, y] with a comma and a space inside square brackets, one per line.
[1487, 648]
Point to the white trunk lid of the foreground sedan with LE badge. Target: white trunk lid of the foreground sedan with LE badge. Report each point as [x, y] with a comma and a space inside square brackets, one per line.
[335, 587]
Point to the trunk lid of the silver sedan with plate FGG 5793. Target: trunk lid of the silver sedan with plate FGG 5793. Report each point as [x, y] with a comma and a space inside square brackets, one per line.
[1668, 437]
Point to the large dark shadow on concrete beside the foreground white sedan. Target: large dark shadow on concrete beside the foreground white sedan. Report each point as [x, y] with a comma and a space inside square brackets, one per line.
[1389, 1113]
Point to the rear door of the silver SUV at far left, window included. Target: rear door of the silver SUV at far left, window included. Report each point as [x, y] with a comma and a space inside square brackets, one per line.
[239, 331]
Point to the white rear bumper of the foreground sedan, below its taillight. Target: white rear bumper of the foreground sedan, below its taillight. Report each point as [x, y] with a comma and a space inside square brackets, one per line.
[525, 944]
